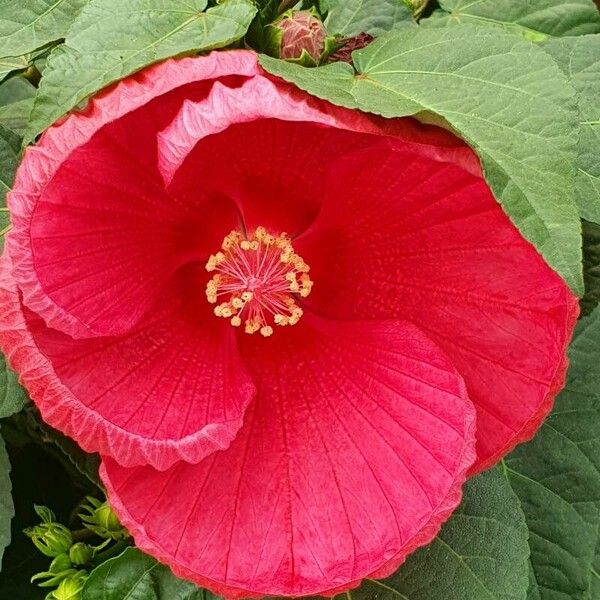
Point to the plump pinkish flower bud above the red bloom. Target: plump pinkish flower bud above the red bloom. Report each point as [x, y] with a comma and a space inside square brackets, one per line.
[299, 36]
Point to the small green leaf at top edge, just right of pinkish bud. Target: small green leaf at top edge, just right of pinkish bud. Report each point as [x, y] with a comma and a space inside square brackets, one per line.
[351, 17]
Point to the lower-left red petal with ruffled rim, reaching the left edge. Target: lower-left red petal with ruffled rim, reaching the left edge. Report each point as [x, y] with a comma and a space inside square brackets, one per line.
[174, 388]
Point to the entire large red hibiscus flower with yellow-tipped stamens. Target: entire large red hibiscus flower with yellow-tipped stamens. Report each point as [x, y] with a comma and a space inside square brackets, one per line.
[286, 326]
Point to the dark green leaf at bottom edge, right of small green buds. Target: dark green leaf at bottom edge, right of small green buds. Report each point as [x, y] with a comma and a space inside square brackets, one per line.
[137, 576]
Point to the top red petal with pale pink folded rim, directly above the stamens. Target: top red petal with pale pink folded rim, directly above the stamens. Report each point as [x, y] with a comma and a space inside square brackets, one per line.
[269, 147]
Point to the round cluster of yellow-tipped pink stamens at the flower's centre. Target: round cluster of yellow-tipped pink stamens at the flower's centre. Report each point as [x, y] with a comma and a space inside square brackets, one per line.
[259, 277]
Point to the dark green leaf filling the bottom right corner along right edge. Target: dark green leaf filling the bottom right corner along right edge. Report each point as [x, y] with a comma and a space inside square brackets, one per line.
[557, 478]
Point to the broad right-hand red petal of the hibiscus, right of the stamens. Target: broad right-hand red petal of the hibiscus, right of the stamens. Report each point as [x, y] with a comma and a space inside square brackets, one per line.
[433, 246]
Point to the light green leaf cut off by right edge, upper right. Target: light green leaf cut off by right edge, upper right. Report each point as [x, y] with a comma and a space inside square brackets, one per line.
[579, 58]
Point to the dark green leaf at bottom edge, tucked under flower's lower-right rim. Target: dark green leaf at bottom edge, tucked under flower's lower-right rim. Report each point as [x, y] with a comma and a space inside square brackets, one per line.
[480, 554]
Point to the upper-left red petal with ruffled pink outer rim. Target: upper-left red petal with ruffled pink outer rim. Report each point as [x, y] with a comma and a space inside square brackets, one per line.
[90, 194]
